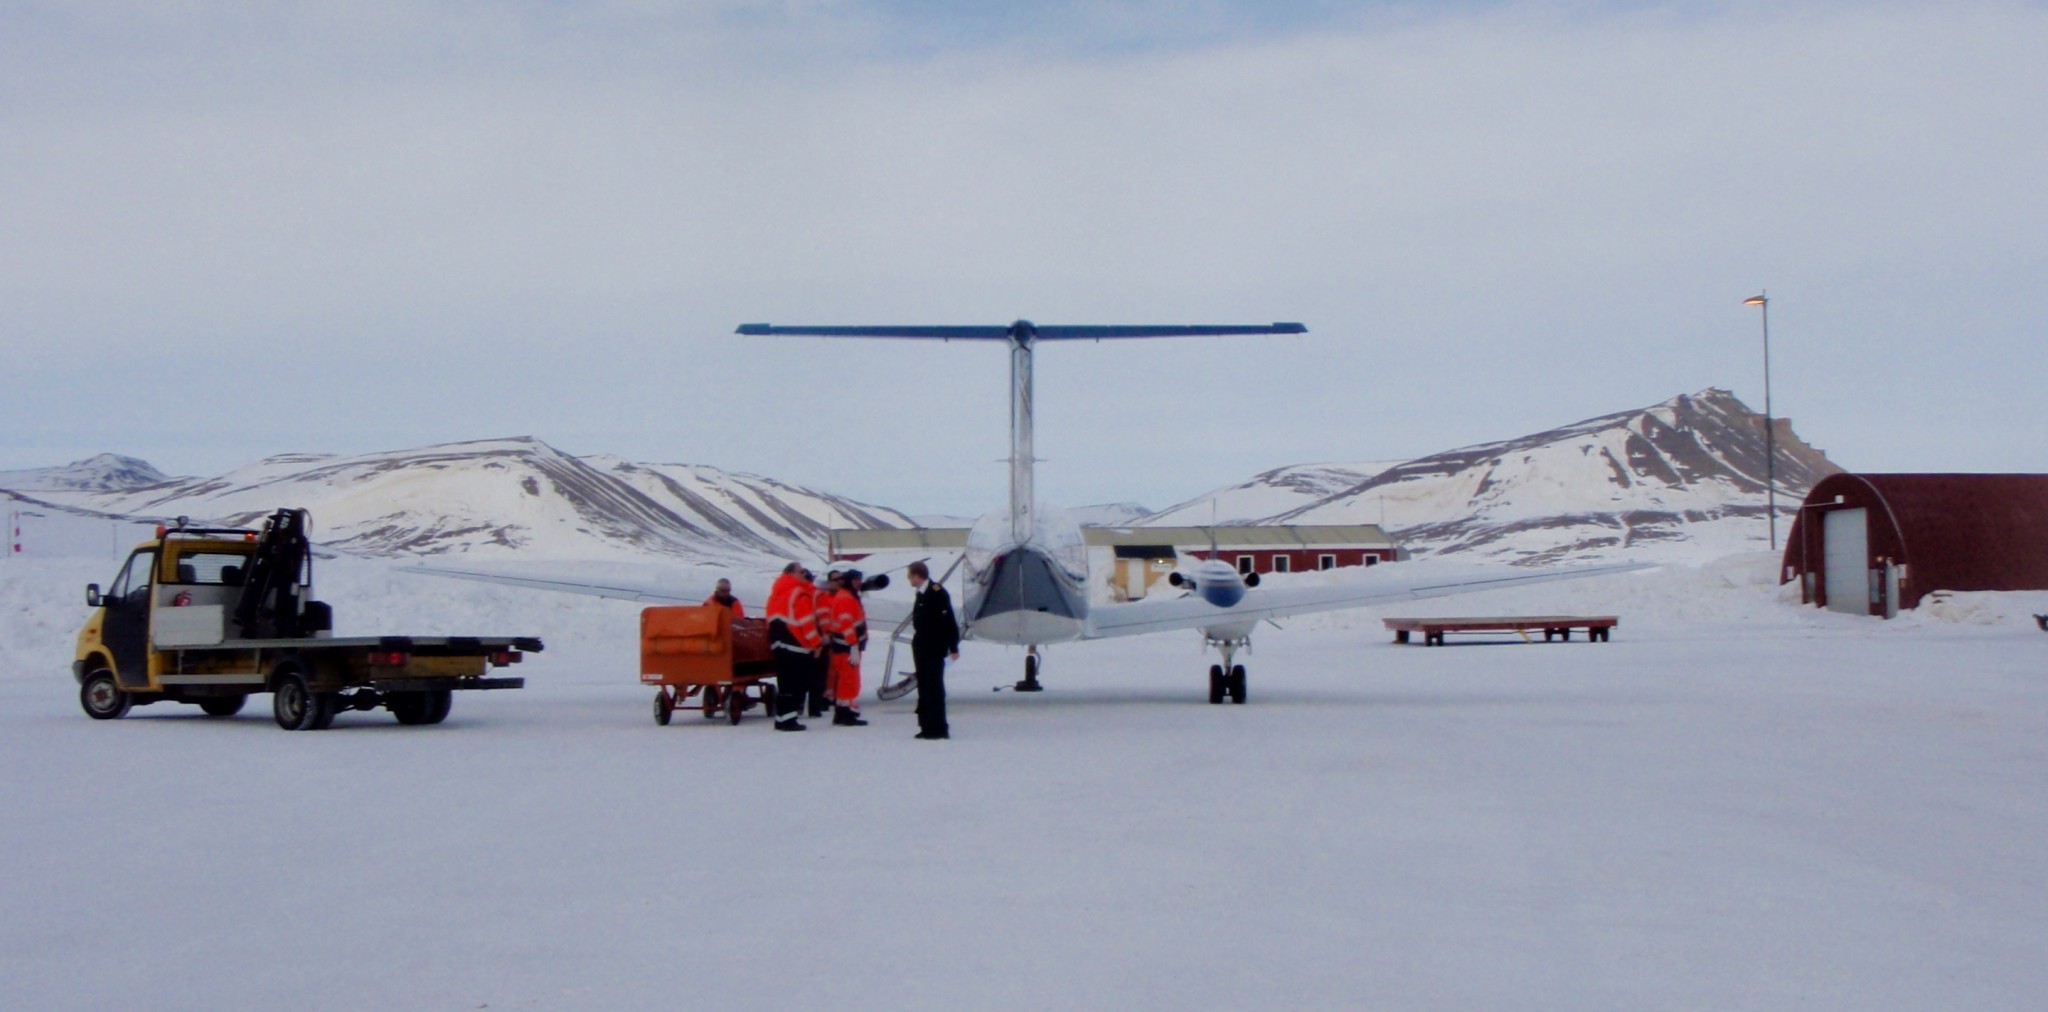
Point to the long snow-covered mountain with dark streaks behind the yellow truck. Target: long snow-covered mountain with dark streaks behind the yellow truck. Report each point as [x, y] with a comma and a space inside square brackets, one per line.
[513, 495]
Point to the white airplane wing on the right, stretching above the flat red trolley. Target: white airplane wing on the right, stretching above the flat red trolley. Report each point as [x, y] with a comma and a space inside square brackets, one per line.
[1383, 585]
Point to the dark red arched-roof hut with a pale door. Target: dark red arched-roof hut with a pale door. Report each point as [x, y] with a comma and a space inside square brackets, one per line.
[1877, 544]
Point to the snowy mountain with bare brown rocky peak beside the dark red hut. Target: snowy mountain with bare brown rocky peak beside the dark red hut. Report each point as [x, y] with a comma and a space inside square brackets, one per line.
[1678, 478]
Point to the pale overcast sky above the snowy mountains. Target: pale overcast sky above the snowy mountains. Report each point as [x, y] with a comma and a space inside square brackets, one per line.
[234, 230]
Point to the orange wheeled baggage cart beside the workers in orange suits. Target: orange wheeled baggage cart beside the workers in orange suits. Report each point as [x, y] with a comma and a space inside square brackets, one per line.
[701, 657]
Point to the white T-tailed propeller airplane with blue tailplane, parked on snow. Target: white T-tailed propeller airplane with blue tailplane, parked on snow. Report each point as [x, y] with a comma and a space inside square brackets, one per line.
[1027, 566]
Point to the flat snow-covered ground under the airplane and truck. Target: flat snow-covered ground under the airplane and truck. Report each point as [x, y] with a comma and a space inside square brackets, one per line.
[1736, 804]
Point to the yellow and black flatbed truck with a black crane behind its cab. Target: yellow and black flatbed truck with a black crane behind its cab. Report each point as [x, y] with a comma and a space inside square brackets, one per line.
[214, 616]
